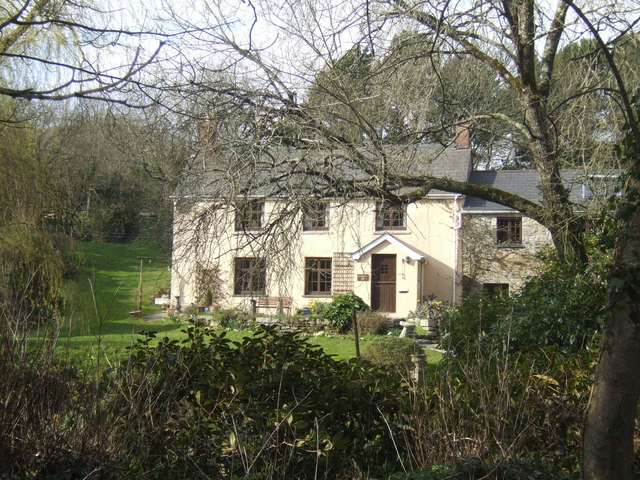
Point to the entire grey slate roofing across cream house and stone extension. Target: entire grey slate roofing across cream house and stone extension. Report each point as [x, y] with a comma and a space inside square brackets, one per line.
[284, 172]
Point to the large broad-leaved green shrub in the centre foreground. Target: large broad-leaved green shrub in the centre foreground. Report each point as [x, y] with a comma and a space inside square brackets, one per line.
[268, 403]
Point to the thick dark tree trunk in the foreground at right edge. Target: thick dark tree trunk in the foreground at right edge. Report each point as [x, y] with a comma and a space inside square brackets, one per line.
[607, 450]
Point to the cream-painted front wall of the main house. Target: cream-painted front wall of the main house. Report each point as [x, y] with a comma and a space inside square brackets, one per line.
[204, 237]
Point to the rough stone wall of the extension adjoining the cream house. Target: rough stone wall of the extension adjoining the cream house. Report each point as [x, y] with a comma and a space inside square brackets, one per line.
[486, 262]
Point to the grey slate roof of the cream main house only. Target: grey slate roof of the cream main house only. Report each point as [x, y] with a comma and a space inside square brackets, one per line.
[278, 171]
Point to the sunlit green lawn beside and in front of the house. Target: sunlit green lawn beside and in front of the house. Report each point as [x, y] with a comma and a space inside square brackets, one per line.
[105, 289]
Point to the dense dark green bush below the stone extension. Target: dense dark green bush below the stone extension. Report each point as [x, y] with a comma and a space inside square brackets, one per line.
[560, 306]
